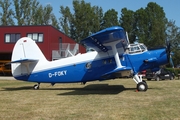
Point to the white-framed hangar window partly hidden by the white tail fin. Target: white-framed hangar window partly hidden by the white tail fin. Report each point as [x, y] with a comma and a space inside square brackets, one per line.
[38, 37]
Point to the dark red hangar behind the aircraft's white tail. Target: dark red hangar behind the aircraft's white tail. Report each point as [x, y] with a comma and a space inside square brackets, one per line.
[53, 43]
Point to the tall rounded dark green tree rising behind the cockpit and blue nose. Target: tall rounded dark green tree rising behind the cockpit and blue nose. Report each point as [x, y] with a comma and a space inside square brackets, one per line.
[156, 24]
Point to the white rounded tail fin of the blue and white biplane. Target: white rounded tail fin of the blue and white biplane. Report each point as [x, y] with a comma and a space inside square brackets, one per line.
[26, 54]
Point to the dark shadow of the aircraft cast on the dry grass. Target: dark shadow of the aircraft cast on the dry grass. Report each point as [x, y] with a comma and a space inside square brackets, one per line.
[86, 90]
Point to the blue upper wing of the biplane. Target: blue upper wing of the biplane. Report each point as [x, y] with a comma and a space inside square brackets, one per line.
[99, 40]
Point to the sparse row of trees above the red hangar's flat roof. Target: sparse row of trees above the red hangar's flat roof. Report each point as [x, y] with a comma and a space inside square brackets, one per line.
[26, 12]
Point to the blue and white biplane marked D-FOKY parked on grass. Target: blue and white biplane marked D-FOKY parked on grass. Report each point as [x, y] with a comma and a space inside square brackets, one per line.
[112, 57]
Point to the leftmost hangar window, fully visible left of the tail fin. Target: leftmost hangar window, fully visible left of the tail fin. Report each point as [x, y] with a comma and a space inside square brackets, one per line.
[12, 38]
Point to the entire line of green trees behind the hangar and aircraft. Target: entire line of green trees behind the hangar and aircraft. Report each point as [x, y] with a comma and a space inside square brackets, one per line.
[148, 25]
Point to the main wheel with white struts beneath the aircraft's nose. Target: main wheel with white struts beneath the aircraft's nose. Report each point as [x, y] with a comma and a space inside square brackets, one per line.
[141, 84]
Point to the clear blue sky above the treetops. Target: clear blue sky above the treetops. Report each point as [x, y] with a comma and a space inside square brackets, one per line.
[171, 8]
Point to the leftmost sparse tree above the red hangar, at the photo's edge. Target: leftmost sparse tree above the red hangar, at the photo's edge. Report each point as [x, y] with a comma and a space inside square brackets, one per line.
[6, 16]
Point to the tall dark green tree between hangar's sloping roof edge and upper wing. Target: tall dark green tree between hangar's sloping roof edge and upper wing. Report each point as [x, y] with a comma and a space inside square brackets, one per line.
[82, 20]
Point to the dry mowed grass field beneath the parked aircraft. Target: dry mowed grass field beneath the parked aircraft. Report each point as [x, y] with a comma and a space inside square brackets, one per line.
[106, 100]
